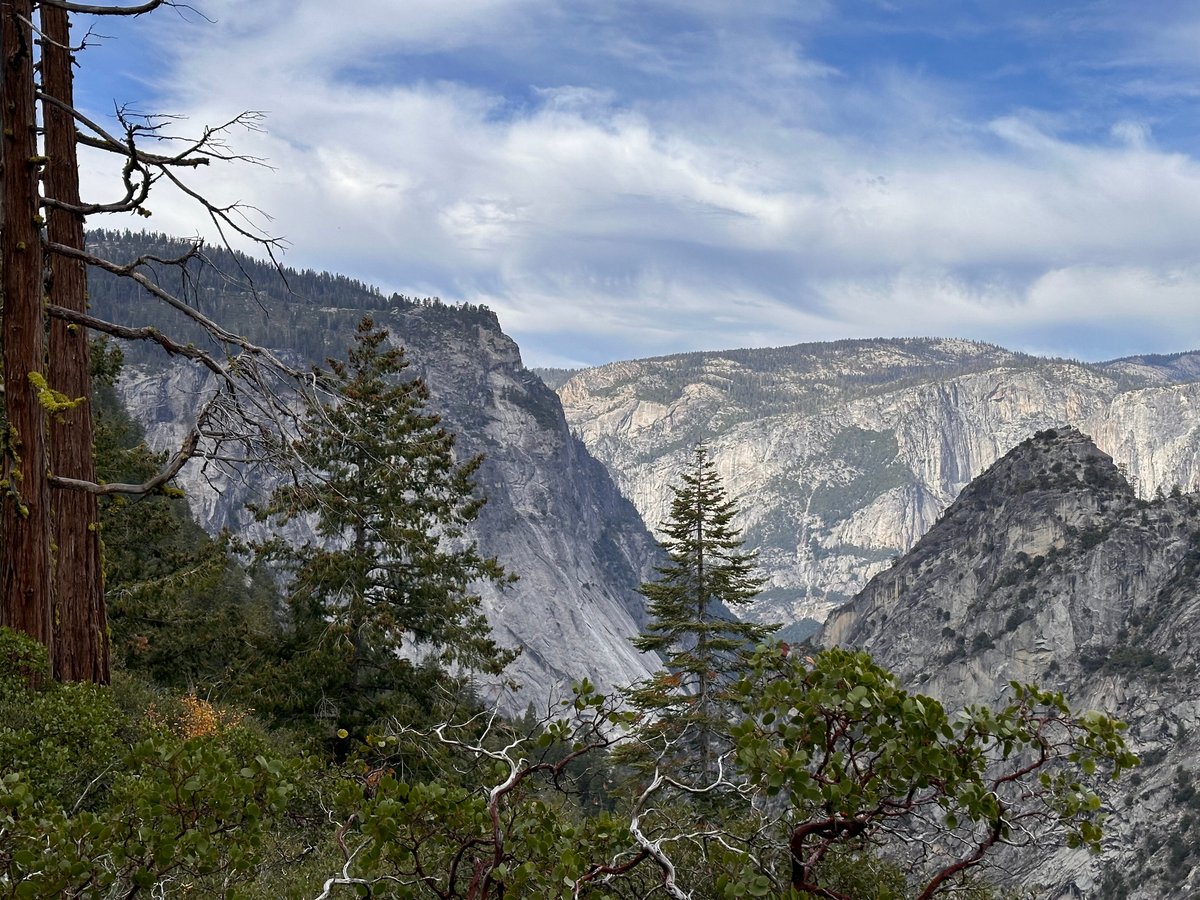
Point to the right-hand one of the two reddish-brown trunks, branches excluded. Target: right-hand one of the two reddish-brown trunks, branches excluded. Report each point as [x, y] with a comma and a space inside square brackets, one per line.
[81, 626]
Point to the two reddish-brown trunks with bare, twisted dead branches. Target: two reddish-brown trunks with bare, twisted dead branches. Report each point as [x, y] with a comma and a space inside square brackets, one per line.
[51, 566]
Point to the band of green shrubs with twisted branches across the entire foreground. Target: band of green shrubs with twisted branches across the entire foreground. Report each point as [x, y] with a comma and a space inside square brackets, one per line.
[837, 784]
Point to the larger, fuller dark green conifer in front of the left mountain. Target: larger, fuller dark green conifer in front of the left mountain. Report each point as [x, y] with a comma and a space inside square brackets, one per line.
[392, 568]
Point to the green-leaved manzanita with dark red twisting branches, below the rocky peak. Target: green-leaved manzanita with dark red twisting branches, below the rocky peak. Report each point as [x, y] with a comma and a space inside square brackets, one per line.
[854, 758]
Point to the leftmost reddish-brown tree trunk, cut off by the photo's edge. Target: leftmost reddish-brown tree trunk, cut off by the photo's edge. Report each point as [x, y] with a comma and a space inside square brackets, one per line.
[26, 563]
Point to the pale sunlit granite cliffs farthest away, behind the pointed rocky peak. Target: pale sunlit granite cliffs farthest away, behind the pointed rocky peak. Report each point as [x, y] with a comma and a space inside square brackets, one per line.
[843, 455]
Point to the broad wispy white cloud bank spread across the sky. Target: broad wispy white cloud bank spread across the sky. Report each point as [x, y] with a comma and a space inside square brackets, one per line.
[749, 212]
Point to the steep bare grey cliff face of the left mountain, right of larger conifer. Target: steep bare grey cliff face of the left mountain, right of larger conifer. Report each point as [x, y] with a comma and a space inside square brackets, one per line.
[554, 514]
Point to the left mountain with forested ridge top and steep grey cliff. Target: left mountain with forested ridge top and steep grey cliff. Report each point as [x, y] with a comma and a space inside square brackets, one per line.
[554, 515]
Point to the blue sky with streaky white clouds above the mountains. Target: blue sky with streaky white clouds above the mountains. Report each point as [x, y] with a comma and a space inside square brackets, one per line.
[631, 178]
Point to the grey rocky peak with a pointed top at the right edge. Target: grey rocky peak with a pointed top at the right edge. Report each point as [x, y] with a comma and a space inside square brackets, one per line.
[1049, 568]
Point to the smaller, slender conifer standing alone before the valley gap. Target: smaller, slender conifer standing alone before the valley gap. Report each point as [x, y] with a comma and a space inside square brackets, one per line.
[691, 605]
